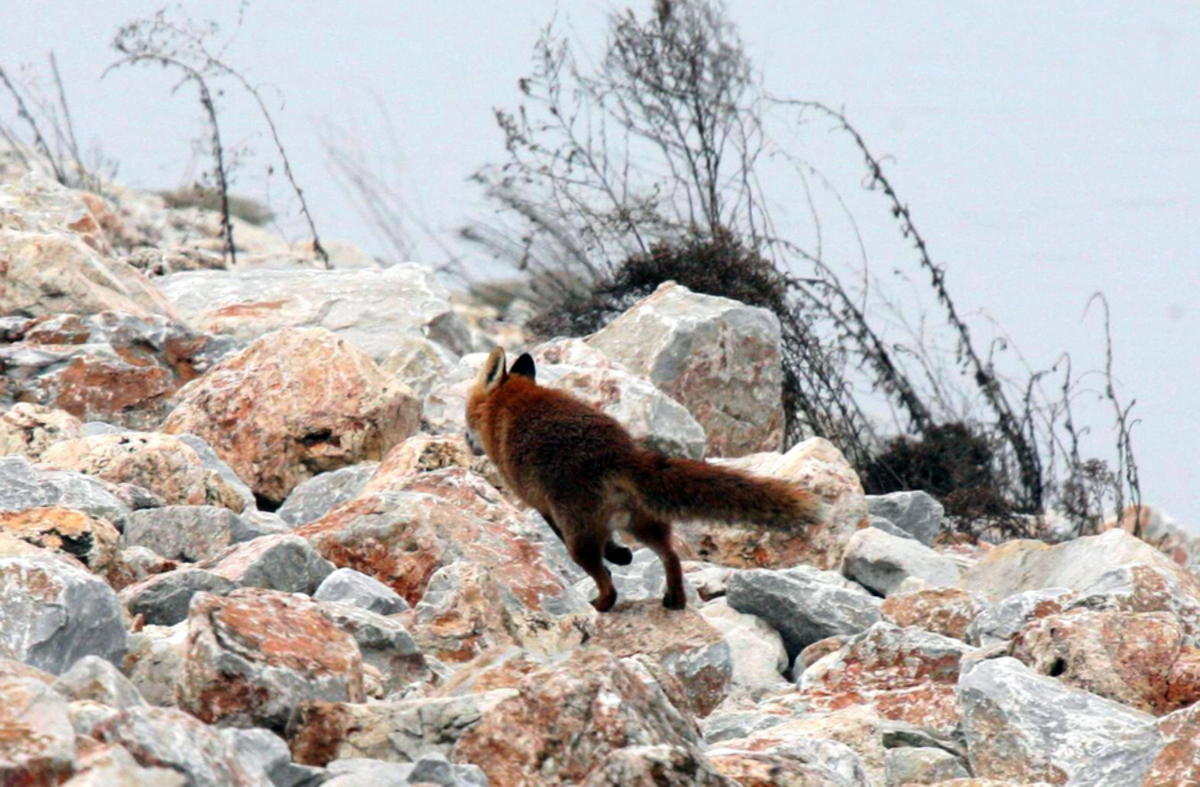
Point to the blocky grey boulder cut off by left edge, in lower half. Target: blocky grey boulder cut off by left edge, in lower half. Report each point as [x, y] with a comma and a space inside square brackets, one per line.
[52, 615]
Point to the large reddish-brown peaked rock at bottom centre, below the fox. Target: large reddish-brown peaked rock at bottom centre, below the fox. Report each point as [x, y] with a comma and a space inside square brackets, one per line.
[566, 722]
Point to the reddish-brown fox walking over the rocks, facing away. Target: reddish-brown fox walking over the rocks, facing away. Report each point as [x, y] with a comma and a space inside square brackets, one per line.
[584, 472]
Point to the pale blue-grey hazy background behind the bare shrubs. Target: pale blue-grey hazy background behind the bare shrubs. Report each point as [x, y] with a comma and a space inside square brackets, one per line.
[1046, 151]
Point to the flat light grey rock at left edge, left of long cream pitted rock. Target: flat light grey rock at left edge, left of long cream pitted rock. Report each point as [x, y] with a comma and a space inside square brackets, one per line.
[23, 488]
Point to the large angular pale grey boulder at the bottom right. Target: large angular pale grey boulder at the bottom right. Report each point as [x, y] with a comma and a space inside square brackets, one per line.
[1024, 728]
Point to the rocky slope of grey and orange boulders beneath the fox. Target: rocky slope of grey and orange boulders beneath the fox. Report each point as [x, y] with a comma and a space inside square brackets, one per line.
[243, 543]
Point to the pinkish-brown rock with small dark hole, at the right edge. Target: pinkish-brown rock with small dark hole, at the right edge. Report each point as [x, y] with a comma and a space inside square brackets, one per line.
[1129, 658]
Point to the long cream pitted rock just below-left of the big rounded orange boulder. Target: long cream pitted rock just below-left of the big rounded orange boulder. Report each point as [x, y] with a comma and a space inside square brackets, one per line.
[163, 464]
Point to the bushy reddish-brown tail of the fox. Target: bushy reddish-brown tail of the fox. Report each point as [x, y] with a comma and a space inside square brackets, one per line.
[675, 489]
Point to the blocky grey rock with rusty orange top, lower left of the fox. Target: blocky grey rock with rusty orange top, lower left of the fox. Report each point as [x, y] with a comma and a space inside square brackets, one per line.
[256, 654]
